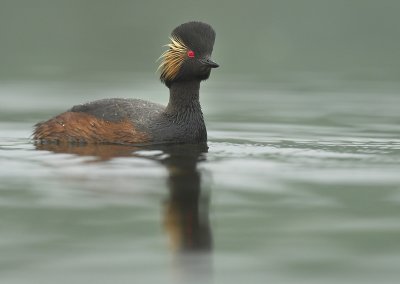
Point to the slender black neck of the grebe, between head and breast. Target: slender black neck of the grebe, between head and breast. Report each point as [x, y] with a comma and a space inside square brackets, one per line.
[184, 98]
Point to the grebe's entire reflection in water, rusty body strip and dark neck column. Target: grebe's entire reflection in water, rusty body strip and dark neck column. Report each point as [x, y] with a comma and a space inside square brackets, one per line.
[185, 211]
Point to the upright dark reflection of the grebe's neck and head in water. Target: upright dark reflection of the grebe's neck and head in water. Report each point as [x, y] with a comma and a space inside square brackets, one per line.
[186, 210]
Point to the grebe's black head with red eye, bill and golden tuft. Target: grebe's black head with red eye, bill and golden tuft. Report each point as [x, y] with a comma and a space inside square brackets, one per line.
[189, 54]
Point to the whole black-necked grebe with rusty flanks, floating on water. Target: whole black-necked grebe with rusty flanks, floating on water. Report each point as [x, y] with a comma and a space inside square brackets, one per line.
[183, 66]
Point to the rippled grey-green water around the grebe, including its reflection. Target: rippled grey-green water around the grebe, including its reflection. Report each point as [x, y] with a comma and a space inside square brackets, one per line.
[299, 184]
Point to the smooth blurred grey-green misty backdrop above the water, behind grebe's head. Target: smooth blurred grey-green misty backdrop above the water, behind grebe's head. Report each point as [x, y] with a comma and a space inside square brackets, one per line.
[256, 40]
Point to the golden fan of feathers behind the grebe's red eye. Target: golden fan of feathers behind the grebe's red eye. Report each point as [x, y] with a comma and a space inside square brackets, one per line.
[172, 59]
